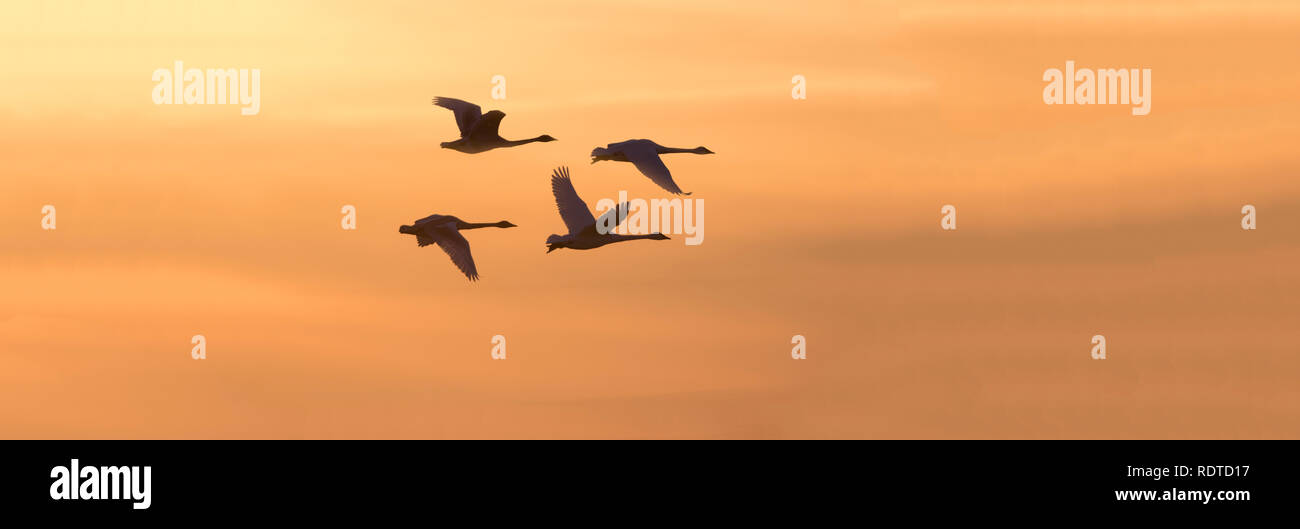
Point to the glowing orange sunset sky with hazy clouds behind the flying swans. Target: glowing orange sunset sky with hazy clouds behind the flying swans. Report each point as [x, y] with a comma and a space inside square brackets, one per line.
[822, 220]
